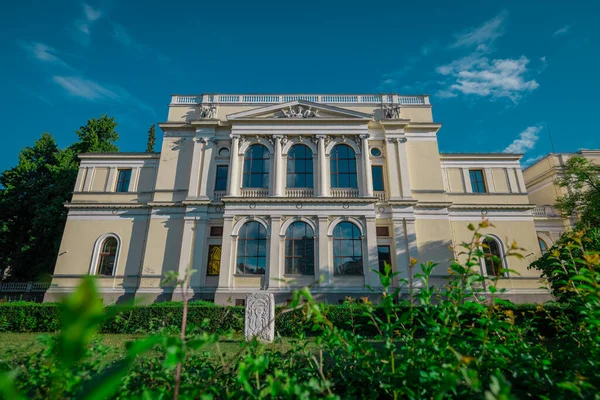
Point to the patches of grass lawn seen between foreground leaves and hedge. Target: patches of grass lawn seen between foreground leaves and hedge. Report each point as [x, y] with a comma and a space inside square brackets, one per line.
[17, 345]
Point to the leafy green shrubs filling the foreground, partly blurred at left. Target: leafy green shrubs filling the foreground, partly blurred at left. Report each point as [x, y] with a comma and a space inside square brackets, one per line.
[463, 342]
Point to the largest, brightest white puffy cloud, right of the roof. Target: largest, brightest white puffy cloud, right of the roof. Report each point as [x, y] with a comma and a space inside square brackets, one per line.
[478, 75]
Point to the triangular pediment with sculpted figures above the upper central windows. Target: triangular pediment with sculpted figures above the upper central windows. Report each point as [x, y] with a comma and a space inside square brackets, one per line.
[299, 110]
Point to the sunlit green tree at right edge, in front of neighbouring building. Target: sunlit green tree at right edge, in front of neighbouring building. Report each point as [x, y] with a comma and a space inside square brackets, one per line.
[582, 180]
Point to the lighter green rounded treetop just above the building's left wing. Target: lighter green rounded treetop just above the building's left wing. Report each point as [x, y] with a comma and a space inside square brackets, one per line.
[97, 136]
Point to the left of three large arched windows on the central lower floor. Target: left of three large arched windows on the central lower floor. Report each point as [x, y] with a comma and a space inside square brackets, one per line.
[252, 249]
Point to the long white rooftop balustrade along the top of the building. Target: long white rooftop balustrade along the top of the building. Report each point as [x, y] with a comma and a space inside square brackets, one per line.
[284, 98]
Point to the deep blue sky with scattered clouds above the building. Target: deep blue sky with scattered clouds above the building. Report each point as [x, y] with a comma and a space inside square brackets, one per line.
[499, 74]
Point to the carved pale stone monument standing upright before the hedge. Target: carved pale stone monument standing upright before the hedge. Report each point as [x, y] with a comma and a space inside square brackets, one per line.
[260, 317]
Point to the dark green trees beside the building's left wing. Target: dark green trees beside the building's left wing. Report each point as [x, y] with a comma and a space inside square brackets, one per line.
[32, 198]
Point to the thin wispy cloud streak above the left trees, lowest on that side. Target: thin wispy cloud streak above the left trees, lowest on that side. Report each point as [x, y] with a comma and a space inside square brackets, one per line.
[81, 87]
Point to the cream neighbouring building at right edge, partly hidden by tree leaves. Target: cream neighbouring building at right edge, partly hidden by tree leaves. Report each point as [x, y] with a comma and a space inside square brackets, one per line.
[540, 179]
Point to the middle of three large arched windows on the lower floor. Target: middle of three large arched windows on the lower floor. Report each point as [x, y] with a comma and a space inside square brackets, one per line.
[299, 249]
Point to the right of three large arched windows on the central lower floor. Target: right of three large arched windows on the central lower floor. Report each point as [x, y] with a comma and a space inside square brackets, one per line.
[347, 249]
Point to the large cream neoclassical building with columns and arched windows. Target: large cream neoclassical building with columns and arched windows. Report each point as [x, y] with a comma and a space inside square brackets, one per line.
[272, 192]
